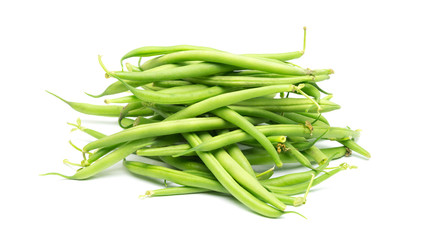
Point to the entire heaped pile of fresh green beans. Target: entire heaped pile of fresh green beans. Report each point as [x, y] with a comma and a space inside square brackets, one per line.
[214, 121]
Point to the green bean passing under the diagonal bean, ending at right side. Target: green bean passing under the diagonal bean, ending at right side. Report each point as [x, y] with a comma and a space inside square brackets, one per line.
[269, 130]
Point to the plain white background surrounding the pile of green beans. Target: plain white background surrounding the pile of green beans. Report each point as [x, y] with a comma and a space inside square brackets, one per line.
[378, 50]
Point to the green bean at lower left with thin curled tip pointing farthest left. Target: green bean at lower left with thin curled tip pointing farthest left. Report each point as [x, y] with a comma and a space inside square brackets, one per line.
[108, 160]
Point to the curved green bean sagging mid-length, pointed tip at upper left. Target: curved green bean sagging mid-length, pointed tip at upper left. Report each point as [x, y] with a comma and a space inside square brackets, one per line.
[183, 98]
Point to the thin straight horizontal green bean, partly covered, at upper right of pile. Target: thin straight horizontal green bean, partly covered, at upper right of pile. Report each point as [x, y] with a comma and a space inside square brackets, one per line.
[245, 81]
